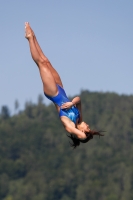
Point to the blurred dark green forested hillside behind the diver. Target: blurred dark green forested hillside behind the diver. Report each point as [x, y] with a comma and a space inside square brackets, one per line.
[37, 162]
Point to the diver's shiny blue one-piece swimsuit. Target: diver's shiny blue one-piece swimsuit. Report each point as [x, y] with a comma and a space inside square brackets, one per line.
[61, 98]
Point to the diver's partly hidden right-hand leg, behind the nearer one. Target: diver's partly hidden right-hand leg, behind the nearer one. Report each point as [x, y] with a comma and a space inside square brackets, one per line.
[53, 71]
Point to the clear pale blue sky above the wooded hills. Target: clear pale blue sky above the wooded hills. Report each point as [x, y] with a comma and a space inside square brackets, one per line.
[89, 43]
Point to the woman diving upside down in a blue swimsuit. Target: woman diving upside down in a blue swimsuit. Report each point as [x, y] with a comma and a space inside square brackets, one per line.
[70, 112]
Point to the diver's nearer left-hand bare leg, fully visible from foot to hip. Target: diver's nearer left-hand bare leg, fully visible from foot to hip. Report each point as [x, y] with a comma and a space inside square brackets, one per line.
[48, 80]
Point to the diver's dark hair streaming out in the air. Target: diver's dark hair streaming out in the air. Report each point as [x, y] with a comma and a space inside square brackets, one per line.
[90, 134]
